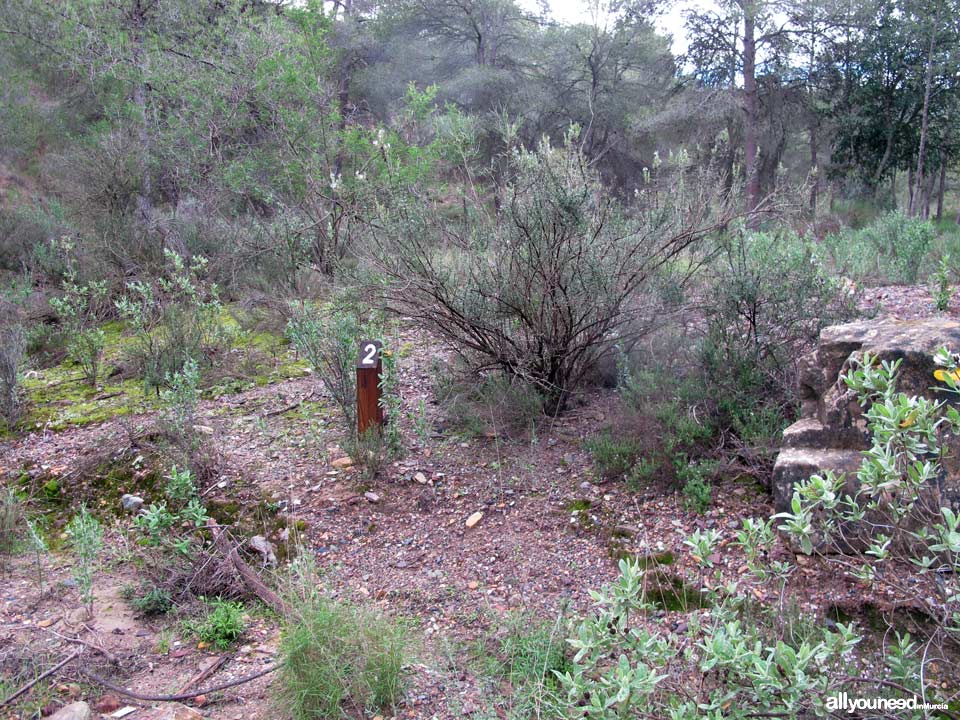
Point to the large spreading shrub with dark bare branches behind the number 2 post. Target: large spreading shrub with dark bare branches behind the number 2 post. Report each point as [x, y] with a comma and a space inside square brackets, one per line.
[547, 288]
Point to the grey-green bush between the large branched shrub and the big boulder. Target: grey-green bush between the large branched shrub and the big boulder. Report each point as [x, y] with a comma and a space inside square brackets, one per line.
[767, 298]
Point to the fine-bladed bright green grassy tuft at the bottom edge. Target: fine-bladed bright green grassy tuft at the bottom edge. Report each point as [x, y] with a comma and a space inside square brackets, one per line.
[335, 654]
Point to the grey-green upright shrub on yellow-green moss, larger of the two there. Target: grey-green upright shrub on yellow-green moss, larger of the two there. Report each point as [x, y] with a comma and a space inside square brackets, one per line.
[175, 319]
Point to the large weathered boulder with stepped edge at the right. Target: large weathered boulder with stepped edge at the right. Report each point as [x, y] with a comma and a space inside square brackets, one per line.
[831, 432]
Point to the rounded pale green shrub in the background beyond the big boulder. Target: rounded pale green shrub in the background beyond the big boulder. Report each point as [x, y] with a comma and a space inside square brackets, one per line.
[891, 249]
